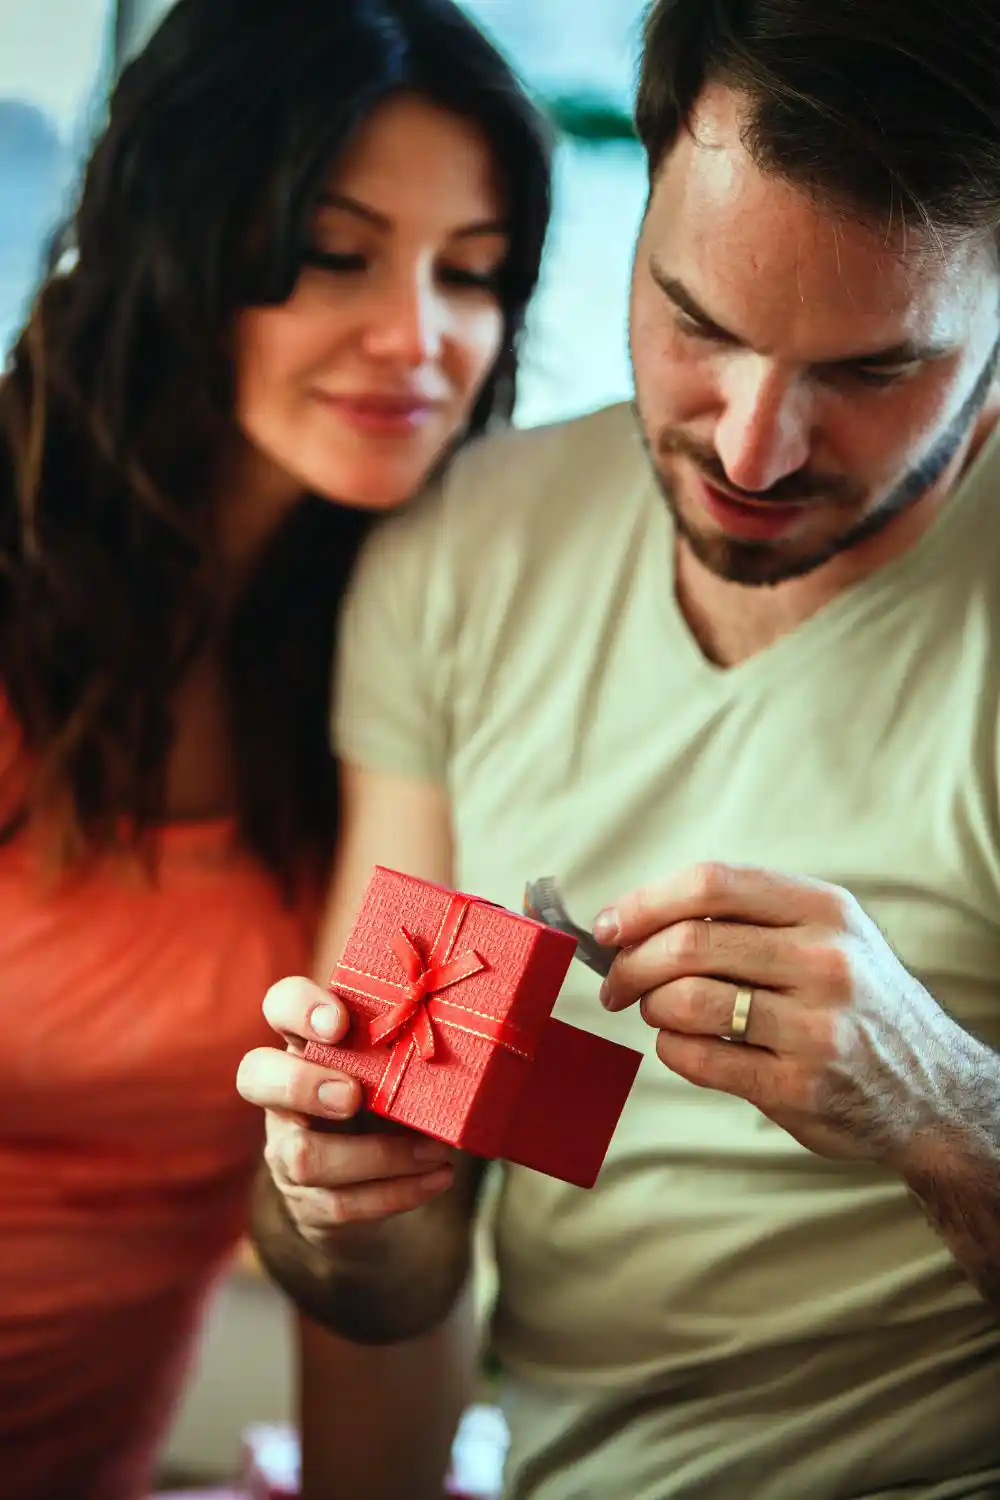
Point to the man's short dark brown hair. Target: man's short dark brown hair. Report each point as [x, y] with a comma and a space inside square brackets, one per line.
[887, 109]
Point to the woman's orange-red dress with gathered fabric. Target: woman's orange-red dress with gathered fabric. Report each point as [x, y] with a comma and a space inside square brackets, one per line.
[127, 1154]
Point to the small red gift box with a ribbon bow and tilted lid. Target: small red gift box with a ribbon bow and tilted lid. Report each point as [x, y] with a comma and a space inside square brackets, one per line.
[452, 1031]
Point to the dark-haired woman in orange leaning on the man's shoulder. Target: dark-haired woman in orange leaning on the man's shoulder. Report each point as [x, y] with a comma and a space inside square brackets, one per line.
[301, 265]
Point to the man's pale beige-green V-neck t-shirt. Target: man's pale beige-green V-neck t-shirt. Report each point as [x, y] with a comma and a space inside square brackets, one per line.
[725, 1315]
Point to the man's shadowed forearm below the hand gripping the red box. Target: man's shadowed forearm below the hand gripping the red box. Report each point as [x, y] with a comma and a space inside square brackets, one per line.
[373, 1283]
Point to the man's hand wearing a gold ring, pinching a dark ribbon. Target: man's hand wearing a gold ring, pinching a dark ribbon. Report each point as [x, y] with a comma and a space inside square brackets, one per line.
[843, 1048]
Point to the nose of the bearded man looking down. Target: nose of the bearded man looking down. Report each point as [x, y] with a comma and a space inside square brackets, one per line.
[765, 430]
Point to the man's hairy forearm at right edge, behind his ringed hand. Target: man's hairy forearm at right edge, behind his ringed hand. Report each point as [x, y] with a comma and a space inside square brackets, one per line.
[957, 1177]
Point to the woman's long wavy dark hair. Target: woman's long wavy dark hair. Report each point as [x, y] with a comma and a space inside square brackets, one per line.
[121, 398]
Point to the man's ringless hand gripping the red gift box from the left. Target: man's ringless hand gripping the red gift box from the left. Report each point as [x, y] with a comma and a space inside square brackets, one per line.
[331, 1177]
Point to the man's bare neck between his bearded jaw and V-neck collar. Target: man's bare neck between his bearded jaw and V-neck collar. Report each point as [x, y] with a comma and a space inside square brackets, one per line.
[734, 623]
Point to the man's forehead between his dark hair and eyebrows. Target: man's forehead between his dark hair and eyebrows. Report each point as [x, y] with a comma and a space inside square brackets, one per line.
[764, 248]
